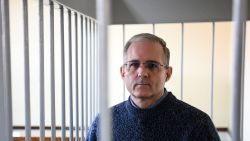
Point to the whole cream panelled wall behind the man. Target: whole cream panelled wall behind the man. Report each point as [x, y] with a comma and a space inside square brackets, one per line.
[197, 68]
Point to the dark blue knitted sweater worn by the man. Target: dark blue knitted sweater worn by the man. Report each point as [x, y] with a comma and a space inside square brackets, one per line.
[170, 120]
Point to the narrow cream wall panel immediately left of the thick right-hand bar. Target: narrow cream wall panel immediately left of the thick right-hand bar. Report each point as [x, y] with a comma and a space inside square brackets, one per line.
[222, 75]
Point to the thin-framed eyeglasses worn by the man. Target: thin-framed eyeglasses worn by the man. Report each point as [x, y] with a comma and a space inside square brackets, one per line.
[151, 65]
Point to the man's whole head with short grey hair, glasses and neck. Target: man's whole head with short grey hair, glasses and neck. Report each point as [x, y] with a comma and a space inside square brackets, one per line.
[146, 67]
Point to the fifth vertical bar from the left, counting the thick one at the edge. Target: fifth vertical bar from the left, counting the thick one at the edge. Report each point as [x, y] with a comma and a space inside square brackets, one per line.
[62, 73]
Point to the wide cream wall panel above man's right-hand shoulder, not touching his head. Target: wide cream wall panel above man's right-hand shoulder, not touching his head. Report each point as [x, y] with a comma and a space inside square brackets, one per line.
[197, 64]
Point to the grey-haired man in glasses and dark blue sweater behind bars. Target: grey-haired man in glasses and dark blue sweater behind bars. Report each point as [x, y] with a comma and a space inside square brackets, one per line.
[151, 113]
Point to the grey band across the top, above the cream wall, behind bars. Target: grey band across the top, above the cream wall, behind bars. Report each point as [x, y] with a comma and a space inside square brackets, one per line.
[160, 11]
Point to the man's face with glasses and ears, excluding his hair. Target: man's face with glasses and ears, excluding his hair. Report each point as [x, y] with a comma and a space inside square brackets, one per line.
[145, 81]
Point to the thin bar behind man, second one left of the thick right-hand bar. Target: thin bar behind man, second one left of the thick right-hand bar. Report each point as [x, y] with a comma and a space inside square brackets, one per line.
[182, 58]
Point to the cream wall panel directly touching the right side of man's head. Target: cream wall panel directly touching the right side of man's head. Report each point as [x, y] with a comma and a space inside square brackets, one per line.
[172, 34]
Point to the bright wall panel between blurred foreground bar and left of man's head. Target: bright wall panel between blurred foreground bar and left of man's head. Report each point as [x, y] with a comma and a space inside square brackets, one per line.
[115, 59]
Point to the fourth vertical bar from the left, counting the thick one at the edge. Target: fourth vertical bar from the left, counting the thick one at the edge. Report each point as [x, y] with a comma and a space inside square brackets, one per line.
[52, 71]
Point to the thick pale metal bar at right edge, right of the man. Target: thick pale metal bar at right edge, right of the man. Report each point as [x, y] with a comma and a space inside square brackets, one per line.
[239, 19]
